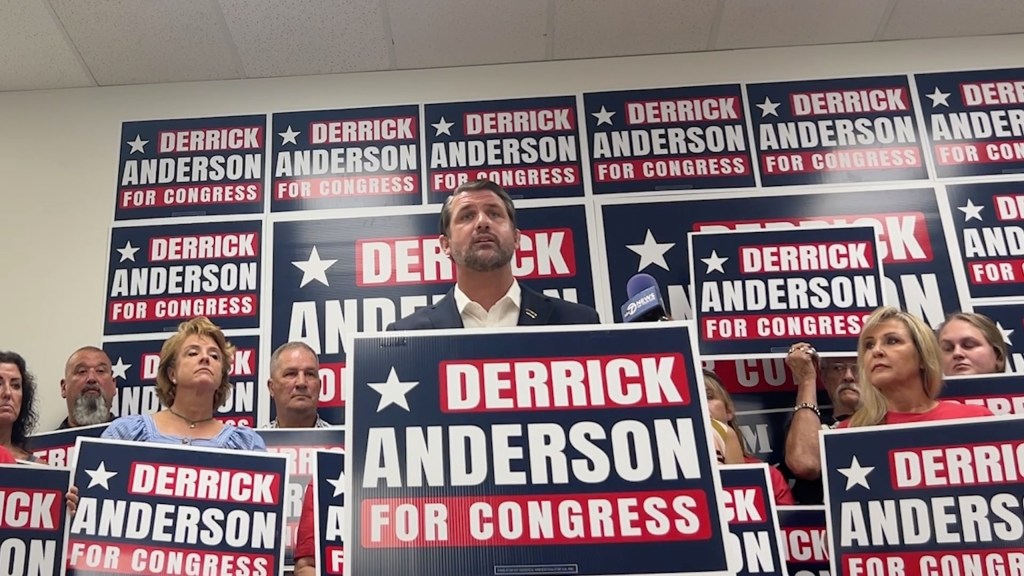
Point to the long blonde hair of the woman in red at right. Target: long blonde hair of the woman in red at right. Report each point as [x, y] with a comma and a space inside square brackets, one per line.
[874, 406]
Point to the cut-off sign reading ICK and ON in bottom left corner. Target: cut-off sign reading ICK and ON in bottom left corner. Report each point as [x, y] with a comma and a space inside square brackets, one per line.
[32, 520]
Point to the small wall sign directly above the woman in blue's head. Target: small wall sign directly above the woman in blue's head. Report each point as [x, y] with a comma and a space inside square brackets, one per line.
[162, 275]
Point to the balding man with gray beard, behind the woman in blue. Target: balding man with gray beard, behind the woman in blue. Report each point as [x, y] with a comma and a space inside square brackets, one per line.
[88, 388]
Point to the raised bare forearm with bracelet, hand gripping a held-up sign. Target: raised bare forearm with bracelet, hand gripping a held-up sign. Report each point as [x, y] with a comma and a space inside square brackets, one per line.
[803, 457]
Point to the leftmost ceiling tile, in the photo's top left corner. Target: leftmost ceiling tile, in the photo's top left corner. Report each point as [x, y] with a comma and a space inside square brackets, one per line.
[34, 53]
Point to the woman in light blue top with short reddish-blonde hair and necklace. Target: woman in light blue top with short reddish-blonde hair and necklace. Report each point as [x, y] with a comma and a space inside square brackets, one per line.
[192, 384]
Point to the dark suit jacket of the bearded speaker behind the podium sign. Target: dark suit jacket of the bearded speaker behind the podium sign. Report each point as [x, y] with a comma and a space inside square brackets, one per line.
[535, 310]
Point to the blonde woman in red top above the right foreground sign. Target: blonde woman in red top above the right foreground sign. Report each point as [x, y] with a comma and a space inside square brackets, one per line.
[902, 375]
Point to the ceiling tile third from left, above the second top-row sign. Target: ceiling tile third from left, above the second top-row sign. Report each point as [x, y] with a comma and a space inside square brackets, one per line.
[277, 38]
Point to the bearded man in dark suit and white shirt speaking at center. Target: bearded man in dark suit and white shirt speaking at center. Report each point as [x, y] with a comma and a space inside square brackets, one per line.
[479, 232]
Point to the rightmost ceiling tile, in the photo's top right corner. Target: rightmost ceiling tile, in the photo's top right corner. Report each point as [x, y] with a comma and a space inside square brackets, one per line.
[938, 19]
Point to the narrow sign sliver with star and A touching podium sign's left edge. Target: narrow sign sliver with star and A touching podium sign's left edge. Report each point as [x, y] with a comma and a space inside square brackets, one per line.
[332, 523]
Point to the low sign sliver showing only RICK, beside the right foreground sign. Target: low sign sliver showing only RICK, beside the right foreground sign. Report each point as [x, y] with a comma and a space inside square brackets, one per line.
[806, 541]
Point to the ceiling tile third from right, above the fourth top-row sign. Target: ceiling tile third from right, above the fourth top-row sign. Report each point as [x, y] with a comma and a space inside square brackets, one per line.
[612, 28]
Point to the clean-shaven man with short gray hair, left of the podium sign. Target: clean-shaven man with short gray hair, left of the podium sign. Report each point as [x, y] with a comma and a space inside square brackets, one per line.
[295, 387]
